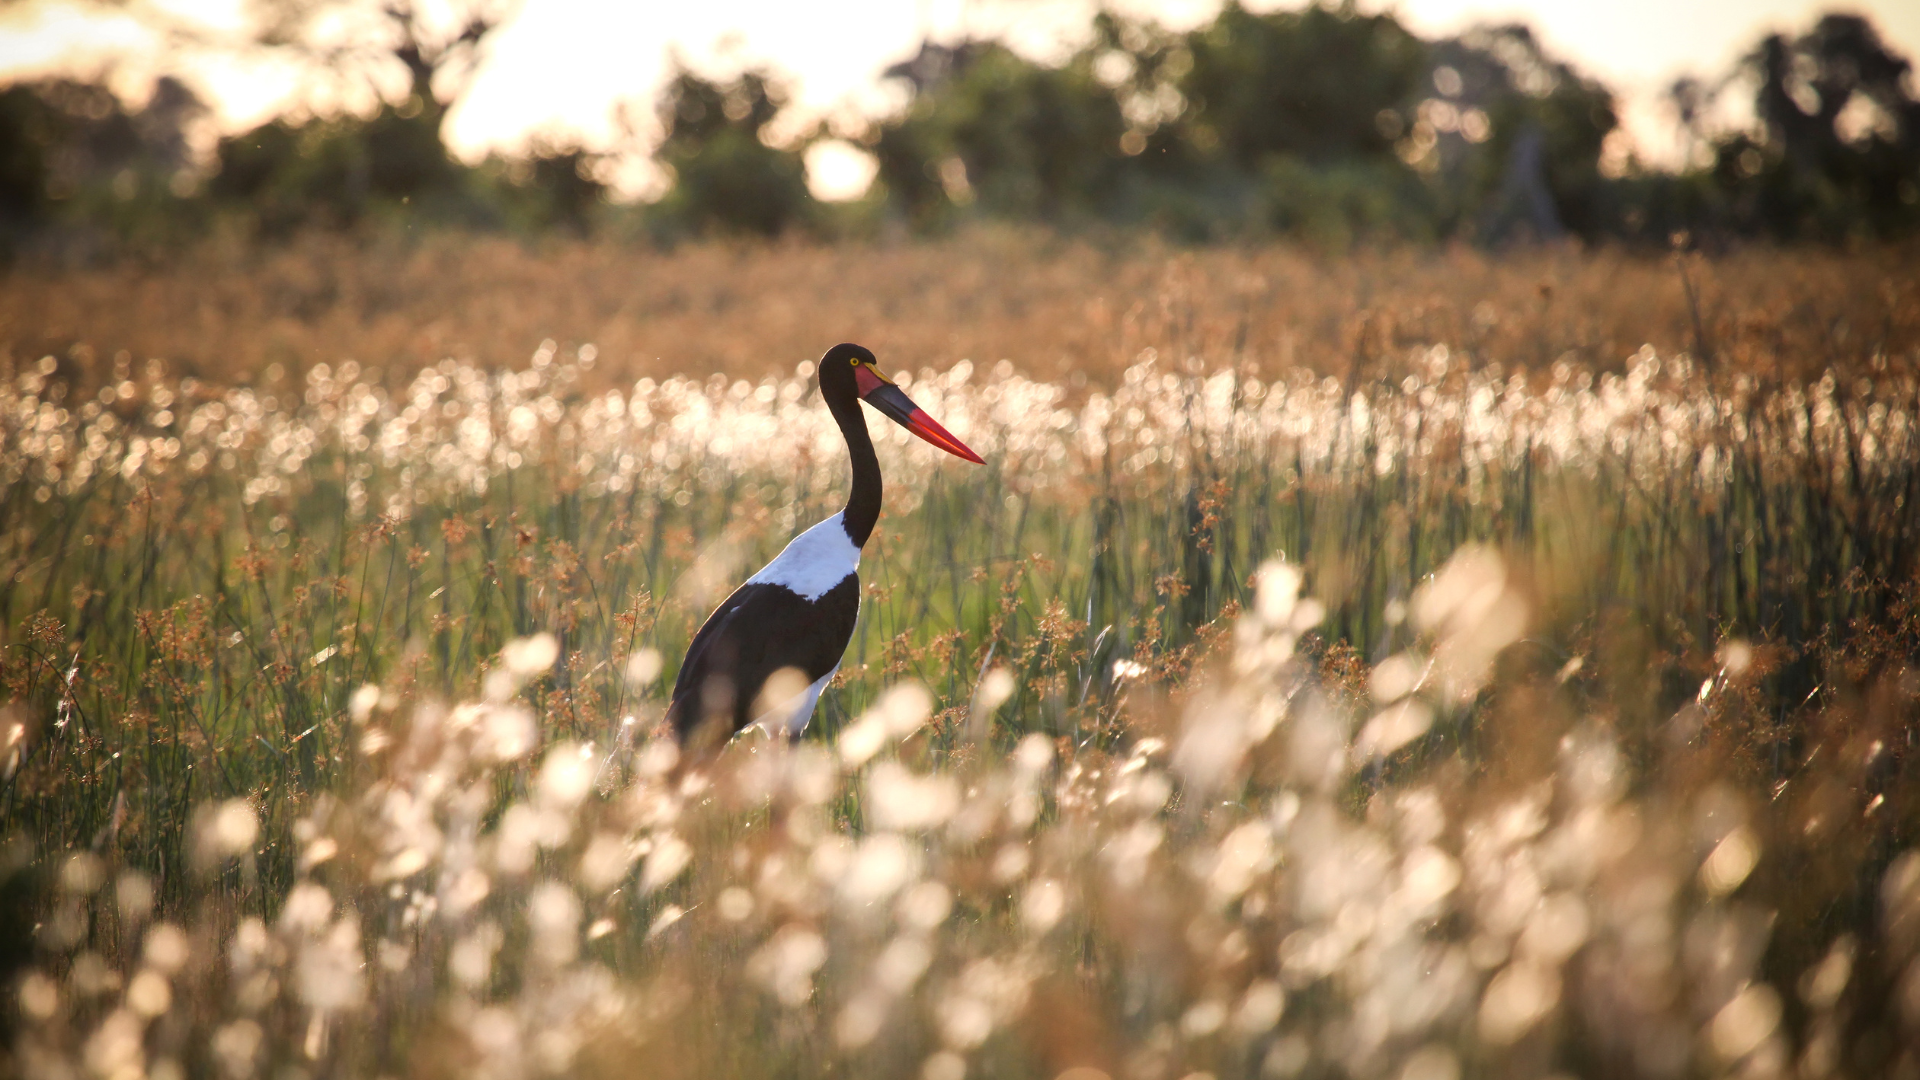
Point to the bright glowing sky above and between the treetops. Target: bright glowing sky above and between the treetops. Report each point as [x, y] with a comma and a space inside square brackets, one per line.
[562, 66]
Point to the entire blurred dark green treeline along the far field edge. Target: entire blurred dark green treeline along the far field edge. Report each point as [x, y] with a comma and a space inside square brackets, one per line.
[1324, 124]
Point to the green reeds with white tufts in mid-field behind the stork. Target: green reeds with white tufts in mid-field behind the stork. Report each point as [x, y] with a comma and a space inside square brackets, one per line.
[199, 581]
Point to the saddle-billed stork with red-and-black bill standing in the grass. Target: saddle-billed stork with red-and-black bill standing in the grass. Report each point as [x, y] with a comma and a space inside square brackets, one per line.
[800, 610]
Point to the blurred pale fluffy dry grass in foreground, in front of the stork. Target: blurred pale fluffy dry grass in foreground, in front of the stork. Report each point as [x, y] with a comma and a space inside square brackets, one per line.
[1234, 891]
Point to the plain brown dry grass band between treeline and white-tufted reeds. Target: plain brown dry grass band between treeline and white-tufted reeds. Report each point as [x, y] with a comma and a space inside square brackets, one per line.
[1055, 308]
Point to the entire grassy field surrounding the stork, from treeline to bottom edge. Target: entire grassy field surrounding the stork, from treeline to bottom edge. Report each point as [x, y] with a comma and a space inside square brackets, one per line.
[1399, 666]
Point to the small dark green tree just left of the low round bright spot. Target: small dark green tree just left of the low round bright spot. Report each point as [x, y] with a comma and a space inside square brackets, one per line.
[727, 176]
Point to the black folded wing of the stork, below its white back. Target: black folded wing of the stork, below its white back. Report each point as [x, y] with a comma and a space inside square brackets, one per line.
[757, 631]
